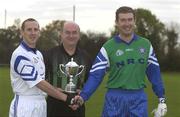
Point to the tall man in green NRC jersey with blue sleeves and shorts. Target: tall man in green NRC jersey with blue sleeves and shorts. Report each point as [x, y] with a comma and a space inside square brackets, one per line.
[127, 58]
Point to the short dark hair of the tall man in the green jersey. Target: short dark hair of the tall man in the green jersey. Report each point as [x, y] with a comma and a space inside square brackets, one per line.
[124, 9]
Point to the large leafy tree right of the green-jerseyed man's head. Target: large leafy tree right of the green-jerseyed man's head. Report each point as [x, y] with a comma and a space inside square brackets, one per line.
[150, 27]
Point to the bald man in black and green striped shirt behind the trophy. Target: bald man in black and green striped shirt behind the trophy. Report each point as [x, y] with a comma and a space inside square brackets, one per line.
[62, 54]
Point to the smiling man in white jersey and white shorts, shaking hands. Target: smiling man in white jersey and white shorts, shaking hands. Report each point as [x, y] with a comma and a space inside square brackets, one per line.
[27, 72]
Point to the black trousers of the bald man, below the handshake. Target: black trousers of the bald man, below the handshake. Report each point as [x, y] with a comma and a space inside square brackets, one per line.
[57, 108]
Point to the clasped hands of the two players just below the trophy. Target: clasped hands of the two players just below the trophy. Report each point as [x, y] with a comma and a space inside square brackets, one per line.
[74, 101]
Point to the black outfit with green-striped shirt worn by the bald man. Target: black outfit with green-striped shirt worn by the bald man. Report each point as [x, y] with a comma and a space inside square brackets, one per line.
[53, 58]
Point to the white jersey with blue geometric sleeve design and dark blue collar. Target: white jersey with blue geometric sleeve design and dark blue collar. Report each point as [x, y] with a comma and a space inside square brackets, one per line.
[27, 70]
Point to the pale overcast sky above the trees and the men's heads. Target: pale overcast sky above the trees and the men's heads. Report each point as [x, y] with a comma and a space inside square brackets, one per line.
[94, 15]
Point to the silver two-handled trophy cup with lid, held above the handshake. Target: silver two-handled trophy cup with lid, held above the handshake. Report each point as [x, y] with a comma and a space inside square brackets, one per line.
[71, 70]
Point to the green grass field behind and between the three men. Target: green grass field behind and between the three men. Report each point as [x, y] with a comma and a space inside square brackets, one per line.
[94, 105]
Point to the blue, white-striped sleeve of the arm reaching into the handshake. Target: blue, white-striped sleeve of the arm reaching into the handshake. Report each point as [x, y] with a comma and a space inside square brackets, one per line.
[96, 75]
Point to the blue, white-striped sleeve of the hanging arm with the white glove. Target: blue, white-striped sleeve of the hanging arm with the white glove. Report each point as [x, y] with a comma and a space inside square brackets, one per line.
[154, 75]
